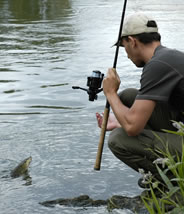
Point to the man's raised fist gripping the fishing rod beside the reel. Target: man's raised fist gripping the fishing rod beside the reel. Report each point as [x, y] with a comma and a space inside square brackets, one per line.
[111, 82]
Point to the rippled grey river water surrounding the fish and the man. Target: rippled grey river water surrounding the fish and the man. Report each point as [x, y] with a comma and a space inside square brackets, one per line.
[46, 47]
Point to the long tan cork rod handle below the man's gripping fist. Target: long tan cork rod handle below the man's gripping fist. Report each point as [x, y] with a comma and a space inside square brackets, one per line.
[102, 138]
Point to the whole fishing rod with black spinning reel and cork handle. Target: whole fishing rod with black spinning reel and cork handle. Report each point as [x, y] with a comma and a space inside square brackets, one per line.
[94, 83]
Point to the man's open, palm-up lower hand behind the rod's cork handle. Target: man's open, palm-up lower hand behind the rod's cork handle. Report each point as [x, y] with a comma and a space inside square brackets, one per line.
[112, 122]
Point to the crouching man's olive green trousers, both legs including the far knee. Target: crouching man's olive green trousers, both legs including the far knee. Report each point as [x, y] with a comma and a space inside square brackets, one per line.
[140, 151]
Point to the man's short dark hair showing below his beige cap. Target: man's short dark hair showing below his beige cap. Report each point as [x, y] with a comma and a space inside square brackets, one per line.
[145, 38]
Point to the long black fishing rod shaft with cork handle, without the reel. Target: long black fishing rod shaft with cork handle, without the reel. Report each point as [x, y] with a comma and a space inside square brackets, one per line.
[107, 106]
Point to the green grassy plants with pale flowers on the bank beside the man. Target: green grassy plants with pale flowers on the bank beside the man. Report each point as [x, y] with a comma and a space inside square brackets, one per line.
[172, 195]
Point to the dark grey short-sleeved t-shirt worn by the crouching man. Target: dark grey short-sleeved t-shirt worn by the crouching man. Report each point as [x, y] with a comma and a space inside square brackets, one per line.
[162, 78]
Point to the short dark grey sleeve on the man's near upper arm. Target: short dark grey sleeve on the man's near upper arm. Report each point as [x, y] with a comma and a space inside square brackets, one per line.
[158, 81]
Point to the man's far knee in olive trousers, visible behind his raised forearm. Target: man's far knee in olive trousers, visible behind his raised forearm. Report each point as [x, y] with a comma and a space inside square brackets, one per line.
[128, 96]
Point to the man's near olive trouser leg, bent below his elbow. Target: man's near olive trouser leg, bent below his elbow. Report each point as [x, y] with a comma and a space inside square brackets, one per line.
[140, 151]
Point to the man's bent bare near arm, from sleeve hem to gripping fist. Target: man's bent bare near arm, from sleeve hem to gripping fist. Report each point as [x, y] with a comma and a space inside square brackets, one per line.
[133, 119]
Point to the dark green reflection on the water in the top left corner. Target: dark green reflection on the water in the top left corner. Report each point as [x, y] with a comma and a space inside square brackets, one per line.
[22, 11]
